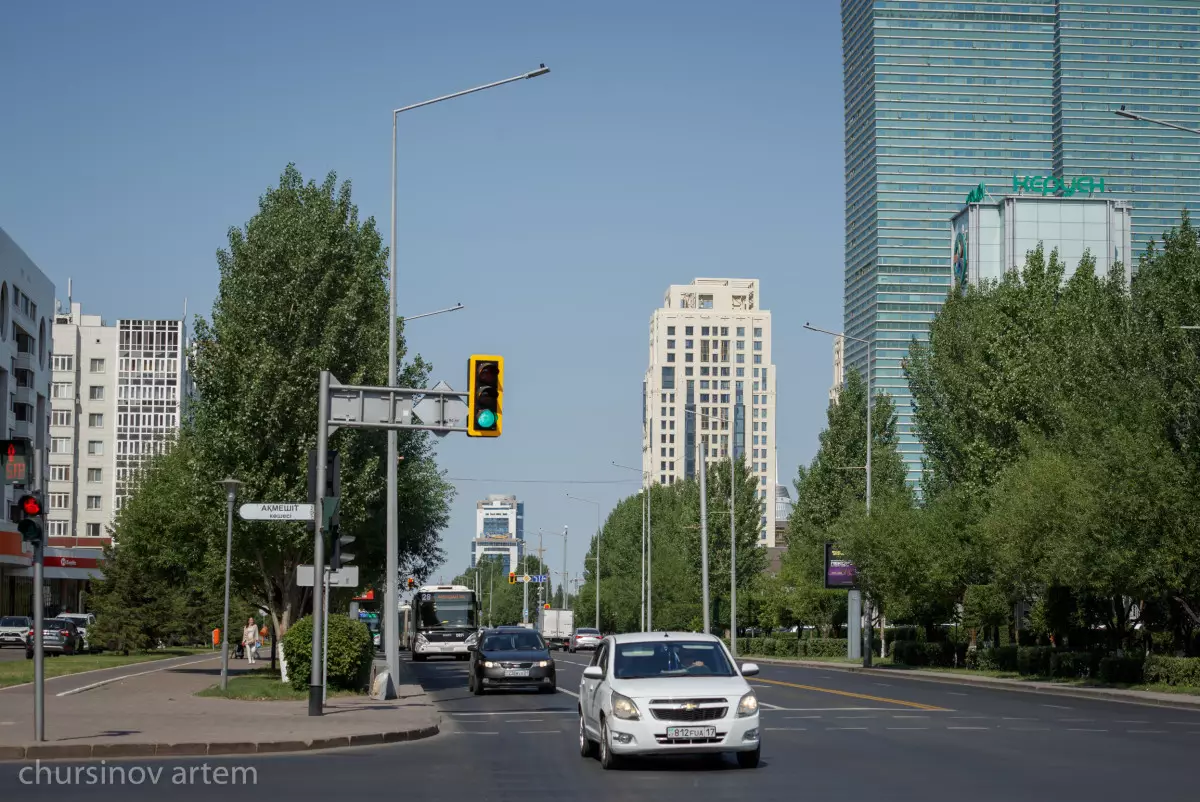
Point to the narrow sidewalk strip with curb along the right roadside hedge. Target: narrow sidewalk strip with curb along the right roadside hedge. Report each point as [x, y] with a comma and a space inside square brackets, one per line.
[1022, 686]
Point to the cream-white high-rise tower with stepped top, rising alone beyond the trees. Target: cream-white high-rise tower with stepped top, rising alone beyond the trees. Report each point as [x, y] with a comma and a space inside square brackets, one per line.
[711, 375]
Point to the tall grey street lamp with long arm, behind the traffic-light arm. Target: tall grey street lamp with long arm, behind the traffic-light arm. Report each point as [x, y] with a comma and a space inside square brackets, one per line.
[392, 592]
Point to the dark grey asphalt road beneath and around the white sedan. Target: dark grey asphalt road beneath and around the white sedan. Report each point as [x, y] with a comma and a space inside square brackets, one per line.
[827, 735]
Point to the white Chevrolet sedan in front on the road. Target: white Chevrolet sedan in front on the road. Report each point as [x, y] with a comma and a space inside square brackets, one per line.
[668, 693]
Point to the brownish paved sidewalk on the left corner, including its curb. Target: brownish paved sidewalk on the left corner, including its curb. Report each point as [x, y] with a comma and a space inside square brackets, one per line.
[158, 714]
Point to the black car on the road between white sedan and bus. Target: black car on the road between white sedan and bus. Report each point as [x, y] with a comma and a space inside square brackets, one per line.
[511, 659]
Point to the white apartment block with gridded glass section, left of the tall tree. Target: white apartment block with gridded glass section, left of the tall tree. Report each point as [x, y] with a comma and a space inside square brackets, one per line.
[118, 397]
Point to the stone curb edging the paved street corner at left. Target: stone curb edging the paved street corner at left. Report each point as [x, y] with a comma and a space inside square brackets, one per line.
[97, 751]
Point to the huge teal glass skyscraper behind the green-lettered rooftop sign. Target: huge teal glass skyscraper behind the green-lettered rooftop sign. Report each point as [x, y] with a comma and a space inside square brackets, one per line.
[944, 97]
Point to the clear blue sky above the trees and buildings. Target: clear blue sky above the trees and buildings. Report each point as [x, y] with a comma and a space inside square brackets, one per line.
[671, 141]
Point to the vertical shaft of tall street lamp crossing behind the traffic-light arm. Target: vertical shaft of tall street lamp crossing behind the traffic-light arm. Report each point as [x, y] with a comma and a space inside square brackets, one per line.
[392, 572]
